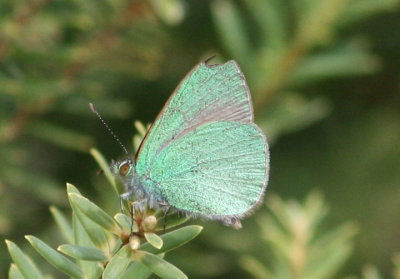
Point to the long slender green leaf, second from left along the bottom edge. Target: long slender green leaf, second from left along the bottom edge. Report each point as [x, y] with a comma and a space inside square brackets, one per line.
[56, 259]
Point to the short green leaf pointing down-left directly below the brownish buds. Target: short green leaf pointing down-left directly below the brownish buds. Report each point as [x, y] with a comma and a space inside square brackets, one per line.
[118, 264]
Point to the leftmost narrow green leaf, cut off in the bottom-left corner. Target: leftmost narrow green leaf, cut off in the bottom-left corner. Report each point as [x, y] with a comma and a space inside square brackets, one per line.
[24, 264]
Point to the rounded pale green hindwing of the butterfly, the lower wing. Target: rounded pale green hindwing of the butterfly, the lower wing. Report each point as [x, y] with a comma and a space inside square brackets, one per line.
[217, 170]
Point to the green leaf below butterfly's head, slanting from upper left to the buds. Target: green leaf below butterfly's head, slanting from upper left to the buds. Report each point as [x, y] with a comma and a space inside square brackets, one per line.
[96, 214]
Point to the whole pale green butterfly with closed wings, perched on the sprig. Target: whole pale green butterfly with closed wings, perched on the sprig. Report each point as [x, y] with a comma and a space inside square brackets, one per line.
[203, 155]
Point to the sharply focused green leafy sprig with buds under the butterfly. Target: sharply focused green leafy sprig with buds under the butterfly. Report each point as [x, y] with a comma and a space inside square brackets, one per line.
[106, 247]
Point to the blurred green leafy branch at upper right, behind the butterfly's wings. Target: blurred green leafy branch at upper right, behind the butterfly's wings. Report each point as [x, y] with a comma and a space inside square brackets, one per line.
[286, 56]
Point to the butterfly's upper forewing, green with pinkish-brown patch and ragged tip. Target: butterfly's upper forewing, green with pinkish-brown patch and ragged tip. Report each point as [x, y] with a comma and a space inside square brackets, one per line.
[206, 94]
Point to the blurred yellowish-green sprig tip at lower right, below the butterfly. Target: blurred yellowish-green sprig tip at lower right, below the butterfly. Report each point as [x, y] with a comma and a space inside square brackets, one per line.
[299, 250]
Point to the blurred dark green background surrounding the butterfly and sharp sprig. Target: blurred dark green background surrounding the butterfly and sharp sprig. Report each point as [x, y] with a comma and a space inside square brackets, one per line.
[324, 77]
